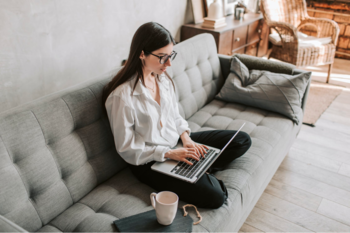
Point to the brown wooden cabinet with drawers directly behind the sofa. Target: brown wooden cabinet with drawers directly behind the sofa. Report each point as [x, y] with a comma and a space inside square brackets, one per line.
[249, 36]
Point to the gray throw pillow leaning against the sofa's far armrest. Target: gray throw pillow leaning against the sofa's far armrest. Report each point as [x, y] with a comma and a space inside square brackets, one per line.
[281, 93]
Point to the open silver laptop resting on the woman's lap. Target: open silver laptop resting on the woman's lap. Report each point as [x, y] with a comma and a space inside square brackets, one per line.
[191, 173]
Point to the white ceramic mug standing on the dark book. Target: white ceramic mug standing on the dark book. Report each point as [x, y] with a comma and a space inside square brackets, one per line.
[165, 203]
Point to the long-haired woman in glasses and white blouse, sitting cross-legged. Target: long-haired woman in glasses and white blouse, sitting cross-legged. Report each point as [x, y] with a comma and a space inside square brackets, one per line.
[143, 112]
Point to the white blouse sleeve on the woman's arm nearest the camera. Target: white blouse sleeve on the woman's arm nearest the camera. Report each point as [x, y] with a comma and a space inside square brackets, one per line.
[130, 145]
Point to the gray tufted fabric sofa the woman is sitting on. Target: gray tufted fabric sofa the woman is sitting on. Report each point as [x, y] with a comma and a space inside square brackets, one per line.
[60, 172]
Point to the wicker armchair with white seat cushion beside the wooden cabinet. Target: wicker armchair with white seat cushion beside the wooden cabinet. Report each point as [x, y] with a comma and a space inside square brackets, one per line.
[289, 16]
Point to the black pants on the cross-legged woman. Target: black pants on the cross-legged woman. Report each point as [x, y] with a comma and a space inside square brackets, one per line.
[208, 191]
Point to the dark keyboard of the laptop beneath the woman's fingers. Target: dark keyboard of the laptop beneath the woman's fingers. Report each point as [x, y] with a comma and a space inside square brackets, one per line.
[186, 170]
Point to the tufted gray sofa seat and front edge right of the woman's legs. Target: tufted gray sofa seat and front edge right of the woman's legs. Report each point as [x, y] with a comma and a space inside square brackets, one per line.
[270, 132]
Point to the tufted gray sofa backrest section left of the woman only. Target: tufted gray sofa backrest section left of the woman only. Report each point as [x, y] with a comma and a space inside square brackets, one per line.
[53, 152]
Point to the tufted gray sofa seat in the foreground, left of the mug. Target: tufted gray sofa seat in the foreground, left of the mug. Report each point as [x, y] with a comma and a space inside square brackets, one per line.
[119, 197]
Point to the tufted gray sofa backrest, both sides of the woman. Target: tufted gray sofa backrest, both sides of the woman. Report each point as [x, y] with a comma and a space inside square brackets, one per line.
[55, 150]
